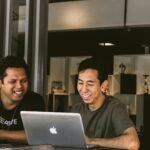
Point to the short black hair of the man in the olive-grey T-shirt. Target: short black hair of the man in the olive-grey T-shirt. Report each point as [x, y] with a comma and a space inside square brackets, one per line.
[91, 63]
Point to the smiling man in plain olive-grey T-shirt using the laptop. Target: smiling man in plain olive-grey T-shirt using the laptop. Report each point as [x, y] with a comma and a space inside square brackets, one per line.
[106, 121]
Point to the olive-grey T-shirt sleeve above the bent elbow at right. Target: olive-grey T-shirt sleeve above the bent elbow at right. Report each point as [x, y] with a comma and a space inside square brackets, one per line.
[120, 118]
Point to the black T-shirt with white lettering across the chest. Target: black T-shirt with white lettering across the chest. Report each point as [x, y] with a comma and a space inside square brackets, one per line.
[11, 119]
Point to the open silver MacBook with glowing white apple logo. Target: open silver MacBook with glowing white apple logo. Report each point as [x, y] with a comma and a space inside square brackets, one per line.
[54, 128]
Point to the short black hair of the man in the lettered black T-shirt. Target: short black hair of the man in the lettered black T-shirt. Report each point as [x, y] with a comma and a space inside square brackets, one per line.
[12, 62]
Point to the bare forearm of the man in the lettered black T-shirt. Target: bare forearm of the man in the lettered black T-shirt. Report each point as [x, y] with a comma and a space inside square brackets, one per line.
[13, 136]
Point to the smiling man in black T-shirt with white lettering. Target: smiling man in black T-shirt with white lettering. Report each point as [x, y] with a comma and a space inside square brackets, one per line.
[14, 97]
